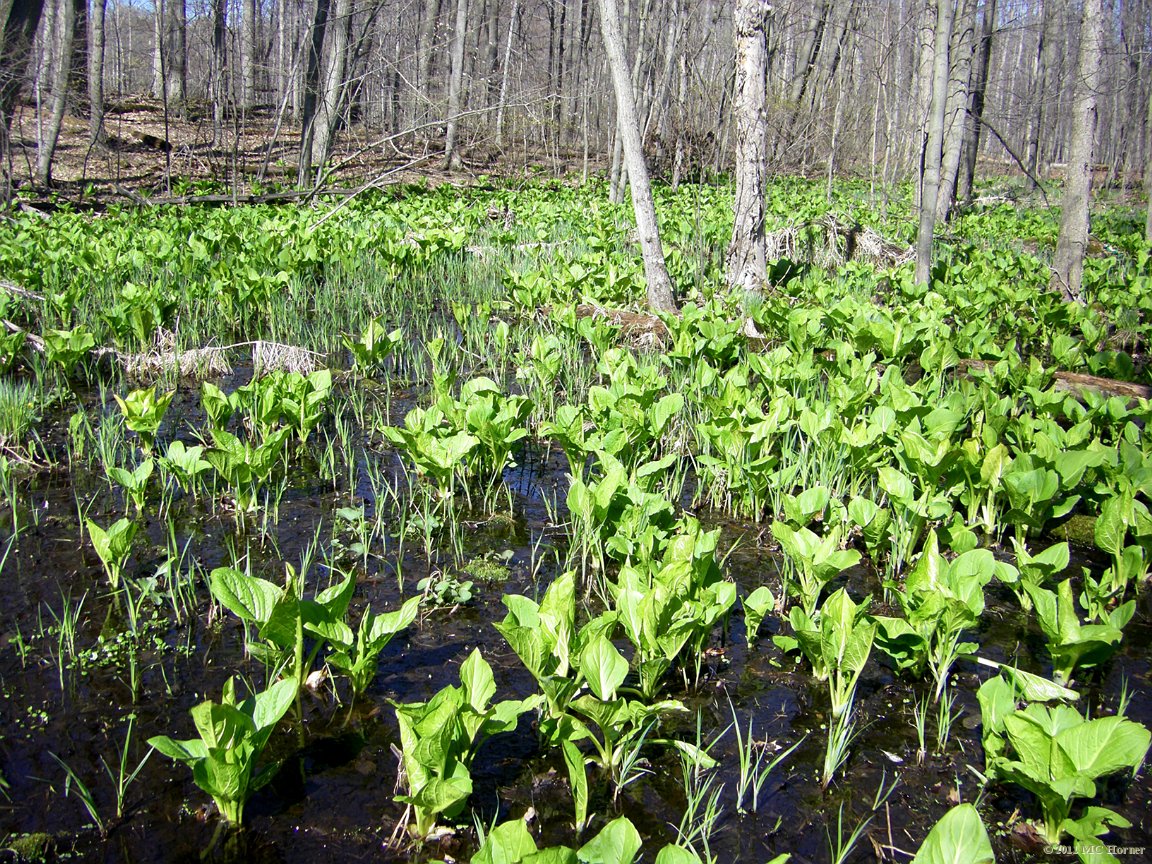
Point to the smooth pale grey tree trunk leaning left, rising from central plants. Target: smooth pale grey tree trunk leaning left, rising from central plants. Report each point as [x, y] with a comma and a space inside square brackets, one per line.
[660, 285]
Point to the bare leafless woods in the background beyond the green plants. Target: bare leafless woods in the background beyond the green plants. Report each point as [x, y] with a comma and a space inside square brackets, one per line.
[490, 82]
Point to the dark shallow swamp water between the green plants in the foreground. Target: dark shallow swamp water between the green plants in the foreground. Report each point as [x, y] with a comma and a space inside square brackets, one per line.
[69, 691]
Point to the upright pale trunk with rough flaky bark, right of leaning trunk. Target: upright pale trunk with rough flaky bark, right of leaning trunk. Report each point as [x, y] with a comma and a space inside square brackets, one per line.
[747, 252]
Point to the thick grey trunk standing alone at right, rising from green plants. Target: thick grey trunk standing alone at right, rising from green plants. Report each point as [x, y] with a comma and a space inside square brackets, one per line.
[1068, 263]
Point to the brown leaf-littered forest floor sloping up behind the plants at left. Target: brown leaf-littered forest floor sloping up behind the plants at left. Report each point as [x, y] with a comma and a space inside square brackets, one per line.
[154, 156]
